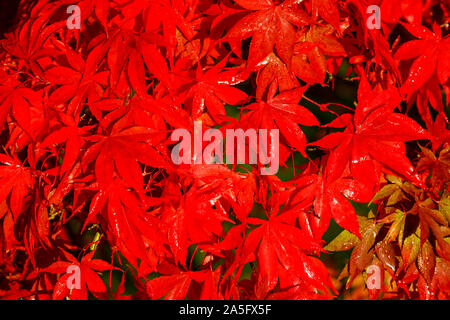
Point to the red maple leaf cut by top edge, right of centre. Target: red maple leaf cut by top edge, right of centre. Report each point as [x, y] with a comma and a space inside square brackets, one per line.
[271, 26]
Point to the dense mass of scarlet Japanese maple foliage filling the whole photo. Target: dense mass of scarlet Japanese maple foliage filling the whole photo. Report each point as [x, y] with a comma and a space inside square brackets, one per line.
[86, 177]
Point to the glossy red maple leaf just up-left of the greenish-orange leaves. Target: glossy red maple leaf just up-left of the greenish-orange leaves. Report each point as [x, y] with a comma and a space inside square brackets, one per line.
[328, 199]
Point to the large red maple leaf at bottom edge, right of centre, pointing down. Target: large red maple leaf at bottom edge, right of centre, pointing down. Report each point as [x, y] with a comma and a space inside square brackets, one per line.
[281, 247]
